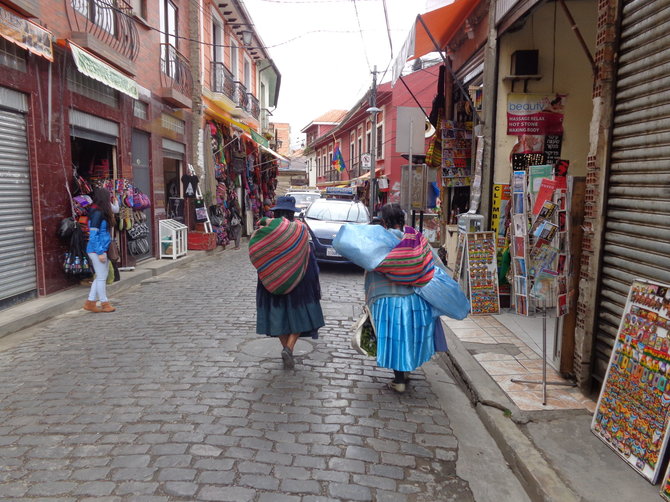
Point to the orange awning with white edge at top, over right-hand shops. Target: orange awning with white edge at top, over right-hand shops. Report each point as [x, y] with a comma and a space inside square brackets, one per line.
[441, 23]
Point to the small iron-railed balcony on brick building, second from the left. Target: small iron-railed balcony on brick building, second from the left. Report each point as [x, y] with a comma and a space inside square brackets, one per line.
[176, 78]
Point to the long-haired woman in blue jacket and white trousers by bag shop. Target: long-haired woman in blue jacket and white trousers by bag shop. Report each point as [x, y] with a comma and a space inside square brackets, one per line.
[100, 221]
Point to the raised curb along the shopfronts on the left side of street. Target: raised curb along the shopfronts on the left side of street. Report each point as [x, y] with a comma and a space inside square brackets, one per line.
[40, 309]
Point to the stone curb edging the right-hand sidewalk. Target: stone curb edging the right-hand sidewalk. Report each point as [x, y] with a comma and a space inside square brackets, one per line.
[541, 481]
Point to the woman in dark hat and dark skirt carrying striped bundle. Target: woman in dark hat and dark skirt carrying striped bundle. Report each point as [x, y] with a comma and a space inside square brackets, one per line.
[288, 292]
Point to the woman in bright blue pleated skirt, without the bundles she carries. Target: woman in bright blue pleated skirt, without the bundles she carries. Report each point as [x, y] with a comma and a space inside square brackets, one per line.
[403, 321]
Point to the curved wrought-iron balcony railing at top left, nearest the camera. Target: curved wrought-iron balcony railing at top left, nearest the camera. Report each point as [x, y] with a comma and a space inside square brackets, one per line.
[109, 21]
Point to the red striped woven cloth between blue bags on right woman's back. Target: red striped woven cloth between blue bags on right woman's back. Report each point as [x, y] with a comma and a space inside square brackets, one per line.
[410, 262]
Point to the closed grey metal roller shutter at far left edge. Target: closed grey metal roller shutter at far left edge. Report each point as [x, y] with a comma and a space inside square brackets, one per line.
[17, 246]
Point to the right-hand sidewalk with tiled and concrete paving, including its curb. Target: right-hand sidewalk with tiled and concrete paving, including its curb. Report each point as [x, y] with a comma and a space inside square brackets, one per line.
[550, 446]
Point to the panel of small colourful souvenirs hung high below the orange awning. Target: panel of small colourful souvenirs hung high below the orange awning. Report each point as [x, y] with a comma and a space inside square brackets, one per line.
[456, 154]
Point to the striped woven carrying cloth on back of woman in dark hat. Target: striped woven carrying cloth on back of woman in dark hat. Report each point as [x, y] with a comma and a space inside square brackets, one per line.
[280, 252]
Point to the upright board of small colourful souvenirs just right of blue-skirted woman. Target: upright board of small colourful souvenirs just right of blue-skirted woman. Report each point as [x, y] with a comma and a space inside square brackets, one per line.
[483, 273]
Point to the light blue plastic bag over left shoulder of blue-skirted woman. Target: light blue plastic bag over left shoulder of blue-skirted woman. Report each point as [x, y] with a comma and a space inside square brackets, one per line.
[364, 245]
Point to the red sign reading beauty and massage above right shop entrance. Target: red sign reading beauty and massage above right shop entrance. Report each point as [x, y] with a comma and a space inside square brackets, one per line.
[536, 114]
